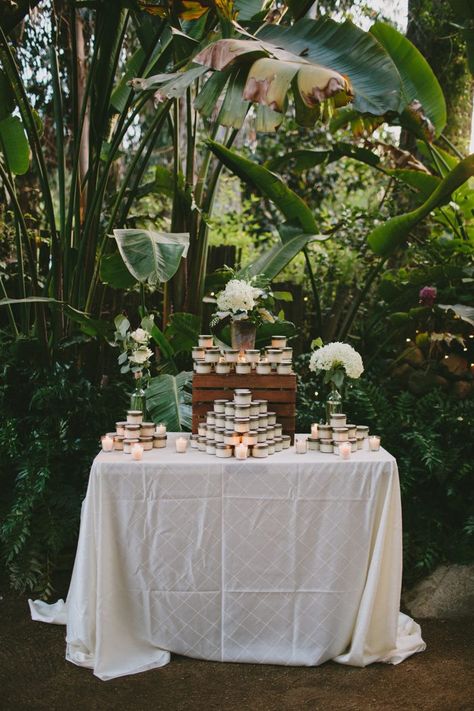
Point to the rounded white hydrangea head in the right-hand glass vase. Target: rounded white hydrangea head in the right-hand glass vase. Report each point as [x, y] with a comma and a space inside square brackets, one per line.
[336, 360]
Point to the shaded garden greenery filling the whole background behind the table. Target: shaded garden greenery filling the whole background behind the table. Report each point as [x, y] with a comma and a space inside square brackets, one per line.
[83, 153]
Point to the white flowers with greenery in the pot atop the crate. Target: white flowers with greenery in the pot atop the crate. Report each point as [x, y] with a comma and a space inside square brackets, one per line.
[245, 300]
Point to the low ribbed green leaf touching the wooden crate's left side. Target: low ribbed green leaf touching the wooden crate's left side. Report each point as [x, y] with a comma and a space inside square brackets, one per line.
[168, 400]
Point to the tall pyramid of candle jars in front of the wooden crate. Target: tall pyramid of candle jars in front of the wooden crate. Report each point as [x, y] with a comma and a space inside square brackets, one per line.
[241, 427]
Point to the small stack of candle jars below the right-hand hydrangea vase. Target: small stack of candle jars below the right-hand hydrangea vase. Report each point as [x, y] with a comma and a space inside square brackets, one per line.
[338, 437]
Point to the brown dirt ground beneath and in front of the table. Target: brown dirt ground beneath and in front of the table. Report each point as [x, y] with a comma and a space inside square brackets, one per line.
[34, 675]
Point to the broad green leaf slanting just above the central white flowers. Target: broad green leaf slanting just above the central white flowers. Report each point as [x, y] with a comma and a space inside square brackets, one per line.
[271, 262]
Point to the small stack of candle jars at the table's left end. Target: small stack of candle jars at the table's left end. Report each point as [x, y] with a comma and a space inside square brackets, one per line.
[133, 431]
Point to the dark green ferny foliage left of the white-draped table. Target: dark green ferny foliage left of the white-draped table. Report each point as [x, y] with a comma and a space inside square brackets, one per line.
[49, 434]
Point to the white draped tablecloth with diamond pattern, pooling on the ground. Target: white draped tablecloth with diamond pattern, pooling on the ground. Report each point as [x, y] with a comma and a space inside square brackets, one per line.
[294, 559]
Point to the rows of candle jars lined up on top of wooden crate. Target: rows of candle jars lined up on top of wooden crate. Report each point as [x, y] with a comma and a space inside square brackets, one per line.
[276, 359]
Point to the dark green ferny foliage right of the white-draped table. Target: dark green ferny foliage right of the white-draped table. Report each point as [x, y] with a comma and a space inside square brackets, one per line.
[431, 438]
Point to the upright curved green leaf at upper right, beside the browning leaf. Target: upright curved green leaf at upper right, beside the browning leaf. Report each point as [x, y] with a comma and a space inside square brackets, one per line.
[422, 108]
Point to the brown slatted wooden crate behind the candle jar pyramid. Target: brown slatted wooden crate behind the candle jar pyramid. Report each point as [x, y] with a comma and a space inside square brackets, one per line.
[279, 390]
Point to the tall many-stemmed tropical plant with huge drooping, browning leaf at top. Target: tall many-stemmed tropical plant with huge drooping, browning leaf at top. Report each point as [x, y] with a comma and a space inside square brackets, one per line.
[83, 204]
